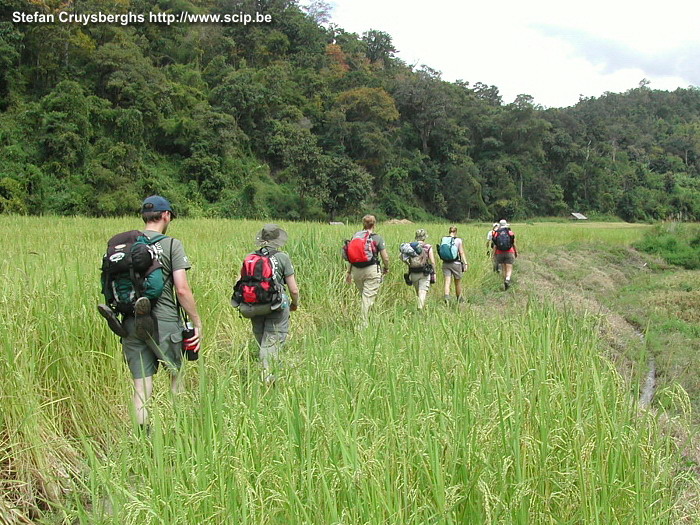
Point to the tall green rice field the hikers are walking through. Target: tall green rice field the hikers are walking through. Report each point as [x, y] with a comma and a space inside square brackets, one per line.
[452, 415]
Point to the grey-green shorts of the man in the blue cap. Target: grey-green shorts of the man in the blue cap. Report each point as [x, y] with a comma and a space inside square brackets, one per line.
[142, 359]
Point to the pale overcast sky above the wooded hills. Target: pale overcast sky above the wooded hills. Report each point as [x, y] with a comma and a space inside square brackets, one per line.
[554, 50]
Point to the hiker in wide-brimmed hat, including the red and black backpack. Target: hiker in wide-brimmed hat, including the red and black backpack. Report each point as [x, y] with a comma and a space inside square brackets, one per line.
[260, 295]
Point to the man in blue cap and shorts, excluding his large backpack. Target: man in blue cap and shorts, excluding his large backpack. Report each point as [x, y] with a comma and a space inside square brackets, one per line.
[152, 333]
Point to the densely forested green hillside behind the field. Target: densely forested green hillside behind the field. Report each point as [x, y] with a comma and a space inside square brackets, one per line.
[298, 119]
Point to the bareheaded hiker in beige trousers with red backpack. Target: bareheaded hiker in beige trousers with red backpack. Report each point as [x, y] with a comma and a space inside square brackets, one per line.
[362, 253]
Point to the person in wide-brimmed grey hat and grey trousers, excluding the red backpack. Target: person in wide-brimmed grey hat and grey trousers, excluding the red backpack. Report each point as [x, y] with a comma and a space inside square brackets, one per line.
[271, 326]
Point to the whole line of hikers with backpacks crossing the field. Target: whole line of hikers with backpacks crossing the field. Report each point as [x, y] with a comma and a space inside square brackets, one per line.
[150, 304]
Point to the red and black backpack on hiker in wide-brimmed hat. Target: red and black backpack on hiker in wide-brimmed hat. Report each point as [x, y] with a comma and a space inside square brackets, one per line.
[257, 284]
